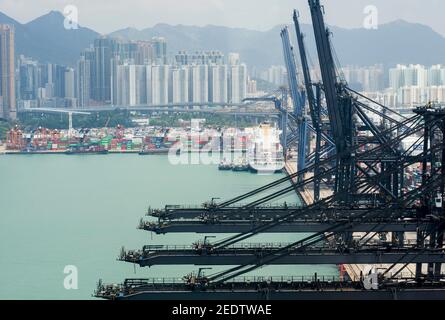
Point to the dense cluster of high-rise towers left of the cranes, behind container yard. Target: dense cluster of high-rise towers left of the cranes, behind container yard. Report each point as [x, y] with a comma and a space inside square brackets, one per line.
[133, 73]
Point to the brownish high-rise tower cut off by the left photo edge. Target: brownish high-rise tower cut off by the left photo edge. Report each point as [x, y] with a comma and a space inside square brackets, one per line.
[8, 106]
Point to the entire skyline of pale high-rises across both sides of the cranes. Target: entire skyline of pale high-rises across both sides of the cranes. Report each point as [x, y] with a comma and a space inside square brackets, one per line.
[142, 72]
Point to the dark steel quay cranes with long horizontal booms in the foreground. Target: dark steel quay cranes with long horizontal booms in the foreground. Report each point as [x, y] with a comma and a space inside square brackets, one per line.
[369, 198]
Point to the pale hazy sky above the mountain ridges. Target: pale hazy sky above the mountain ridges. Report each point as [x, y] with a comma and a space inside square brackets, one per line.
[109, 15]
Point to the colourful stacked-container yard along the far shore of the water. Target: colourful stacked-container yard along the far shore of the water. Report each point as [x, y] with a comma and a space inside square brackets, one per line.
[143, 140]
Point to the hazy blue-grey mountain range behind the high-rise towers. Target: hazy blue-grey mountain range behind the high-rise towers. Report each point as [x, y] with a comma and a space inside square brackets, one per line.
[46, 40]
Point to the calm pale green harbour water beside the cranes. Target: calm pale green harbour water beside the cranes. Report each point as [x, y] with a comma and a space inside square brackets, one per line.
[58, 210]
